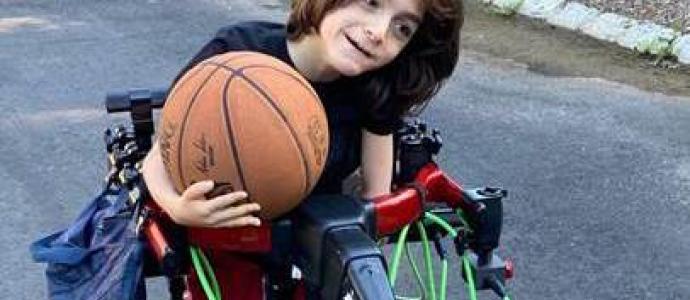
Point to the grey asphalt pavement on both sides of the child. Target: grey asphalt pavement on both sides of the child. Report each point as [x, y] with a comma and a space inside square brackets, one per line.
[598, 172]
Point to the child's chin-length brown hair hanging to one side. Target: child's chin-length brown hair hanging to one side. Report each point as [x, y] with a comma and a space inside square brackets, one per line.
[418, 72]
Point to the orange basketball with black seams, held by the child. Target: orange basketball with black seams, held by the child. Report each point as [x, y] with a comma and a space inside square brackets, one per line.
[247, 121]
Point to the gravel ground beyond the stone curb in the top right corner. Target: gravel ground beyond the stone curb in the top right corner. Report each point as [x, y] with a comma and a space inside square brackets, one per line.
[672, 13]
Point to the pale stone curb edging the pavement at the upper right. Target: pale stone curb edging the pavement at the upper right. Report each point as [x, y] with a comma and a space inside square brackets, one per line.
[640, 36]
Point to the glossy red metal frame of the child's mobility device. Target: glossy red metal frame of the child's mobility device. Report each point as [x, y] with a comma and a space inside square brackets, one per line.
[231, 251]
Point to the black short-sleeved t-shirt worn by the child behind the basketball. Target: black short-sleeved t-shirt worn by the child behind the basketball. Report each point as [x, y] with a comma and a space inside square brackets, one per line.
[341, 99]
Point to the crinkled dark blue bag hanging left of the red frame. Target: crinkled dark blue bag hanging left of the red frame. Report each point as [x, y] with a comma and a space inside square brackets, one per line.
[99, 256]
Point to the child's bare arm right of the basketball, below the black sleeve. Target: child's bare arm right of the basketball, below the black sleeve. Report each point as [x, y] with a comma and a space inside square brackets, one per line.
[377, 164]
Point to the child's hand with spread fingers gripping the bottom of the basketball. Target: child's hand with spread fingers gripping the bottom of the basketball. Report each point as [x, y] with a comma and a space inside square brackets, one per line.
[227, 210]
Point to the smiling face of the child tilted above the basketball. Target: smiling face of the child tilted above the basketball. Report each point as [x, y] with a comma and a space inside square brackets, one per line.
[364, 35]
